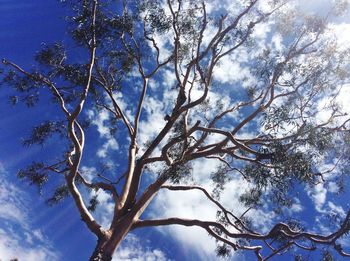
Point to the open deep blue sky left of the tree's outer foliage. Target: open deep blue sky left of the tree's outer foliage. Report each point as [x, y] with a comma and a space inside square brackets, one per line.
[24, 27]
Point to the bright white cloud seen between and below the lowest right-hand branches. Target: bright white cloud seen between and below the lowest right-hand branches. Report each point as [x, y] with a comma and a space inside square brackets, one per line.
[193, 204]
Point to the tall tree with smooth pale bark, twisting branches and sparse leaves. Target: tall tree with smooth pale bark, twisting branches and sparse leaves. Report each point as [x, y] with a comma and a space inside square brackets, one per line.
[276, 96]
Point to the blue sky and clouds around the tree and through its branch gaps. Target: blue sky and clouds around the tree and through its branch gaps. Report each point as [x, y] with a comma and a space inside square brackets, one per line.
[32, 230]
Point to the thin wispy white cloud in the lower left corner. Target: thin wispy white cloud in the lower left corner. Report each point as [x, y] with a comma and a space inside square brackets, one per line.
[18, 237]
